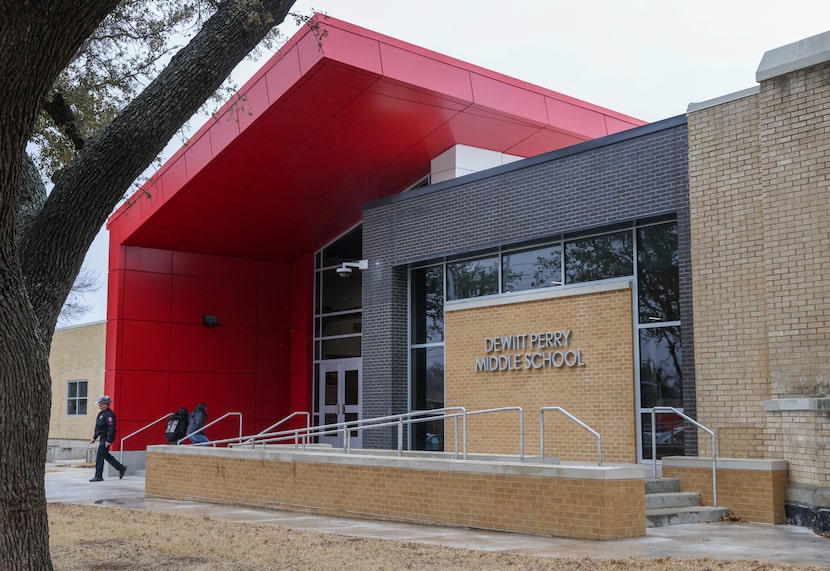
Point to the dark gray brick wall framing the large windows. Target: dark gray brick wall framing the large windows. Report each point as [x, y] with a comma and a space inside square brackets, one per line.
[618, 179]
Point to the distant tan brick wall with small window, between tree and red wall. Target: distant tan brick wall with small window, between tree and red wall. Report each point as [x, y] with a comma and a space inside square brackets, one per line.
[77, 355]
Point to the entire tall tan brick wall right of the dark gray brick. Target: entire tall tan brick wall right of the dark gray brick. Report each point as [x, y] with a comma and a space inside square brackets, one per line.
[759, 171]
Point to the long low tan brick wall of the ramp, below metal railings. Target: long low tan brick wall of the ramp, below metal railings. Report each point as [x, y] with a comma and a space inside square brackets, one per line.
[563, 507]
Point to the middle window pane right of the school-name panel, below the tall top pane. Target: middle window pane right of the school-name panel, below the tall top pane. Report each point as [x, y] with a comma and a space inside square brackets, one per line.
[661, 381]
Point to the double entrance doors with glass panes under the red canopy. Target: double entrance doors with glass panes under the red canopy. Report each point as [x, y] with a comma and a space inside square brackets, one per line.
[341, 384]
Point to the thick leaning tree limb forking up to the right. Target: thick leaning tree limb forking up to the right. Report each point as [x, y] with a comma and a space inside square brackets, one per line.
[54, 245]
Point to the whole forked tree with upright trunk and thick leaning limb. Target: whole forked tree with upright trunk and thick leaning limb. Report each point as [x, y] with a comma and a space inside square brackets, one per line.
[41, 254]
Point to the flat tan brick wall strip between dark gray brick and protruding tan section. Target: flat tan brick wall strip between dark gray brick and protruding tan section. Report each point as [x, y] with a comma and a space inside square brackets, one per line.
[728, 275]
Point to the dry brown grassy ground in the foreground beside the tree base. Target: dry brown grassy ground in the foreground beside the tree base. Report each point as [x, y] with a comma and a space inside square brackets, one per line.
[112, 538]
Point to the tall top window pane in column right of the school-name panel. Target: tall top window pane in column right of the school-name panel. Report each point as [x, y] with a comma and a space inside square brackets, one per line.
[658, 285]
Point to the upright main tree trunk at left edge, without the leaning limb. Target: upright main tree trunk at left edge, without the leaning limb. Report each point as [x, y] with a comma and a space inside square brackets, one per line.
[57, 29]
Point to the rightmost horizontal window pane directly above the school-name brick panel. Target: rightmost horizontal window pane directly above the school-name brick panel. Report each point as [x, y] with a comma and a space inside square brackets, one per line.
[599, 257]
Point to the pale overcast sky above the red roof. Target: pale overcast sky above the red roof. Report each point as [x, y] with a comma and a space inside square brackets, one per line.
[645, 58]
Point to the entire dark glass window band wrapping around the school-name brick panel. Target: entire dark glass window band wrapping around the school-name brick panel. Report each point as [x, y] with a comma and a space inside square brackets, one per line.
[558, 262]
